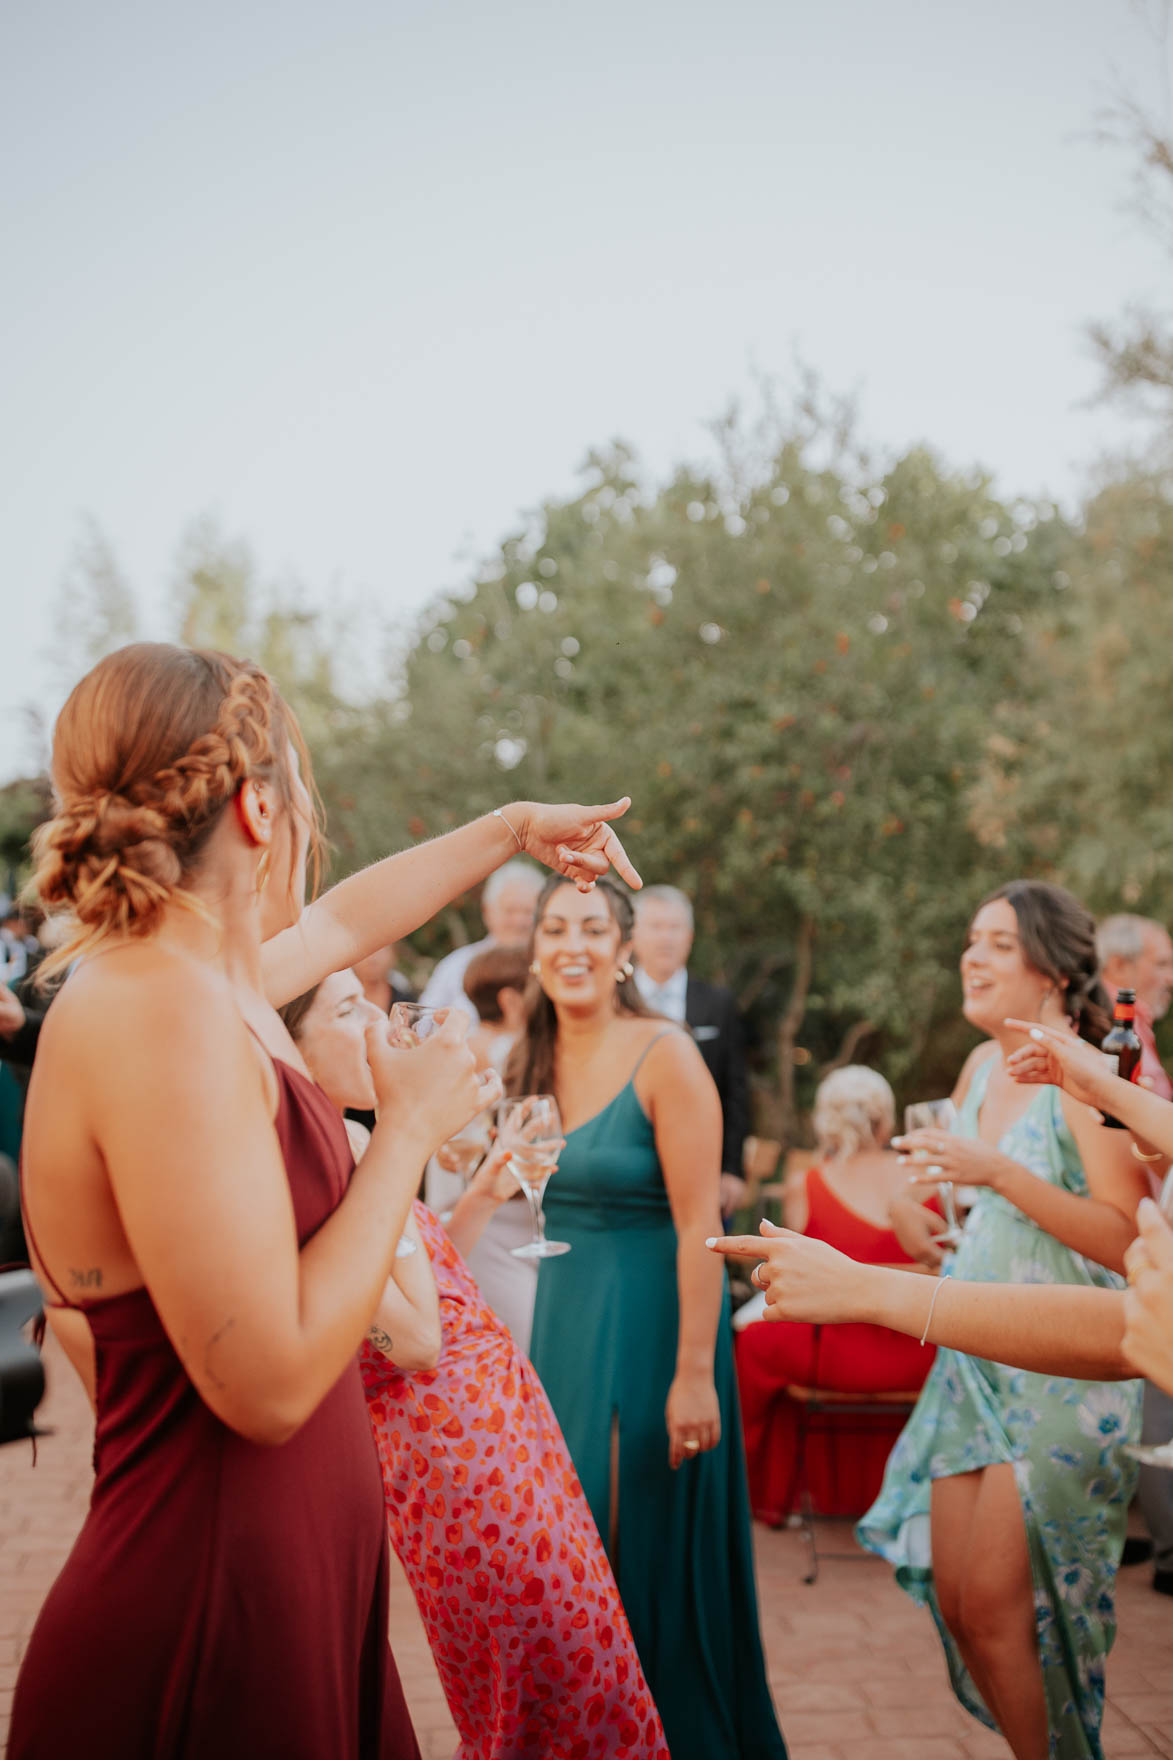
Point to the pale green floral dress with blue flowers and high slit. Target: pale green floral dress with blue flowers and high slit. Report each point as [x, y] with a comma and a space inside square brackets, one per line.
[1063, 1437]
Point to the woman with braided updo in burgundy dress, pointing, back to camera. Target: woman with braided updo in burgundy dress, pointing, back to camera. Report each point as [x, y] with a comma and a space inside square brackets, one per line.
[210, 1256]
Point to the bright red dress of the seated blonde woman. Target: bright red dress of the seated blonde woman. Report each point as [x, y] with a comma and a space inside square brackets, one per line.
[846, 1465]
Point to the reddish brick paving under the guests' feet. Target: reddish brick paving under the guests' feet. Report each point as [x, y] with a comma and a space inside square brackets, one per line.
[855, 1668]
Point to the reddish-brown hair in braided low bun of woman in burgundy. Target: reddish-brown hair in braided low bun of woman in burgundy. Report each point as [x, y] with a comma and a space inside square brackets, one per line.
[149, 752]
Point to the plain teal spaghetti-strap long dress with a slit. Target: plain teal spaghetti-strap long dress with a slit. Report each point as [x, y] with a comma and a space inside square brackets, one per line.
[605, 1347]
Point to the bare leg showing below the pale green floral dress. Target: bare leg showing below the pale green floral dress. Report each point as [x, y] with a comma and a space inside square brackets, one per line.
[998, 1615]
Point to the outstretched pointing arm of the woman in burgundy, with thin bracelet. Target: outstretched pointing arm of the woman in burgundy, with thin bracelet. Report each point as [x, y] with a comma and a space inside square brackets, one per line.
[401, 893]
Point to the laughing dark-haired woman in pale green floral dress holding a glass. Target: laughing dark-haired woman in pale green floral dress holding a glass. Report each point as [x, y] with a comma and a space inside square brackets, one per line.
[1007, 1497]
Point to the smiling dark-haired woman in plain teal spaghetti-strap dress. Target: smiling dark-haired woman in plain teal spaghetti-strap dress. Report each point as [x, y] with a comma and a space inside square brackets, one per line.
[631, 1328]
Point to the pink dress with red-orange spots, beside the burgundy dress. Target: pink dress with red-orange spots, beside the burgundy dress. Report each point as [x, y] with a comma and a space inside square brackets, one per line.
[494, 1532]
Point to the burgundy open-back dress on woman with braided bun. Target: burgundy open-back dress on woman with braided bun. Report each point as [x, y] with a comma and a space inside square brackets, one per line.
[223, 1599]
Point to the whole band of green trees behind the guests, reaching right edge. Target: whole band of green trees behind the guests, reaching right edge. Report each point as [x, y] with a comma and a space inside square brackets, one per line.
[846, 698]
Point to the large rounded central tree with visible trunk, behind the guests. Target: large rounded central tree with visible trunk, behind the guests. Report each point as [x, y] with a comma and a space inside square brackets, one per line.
[792, 664]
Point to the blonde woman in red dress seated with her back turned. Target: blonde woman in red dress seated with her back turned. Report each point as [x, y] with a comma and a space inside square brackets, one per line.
[845, 1201]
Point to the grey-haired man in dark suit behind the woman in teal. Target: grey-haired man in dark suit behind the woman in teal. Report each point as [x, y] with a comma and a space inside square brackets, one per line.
[663, 944]
